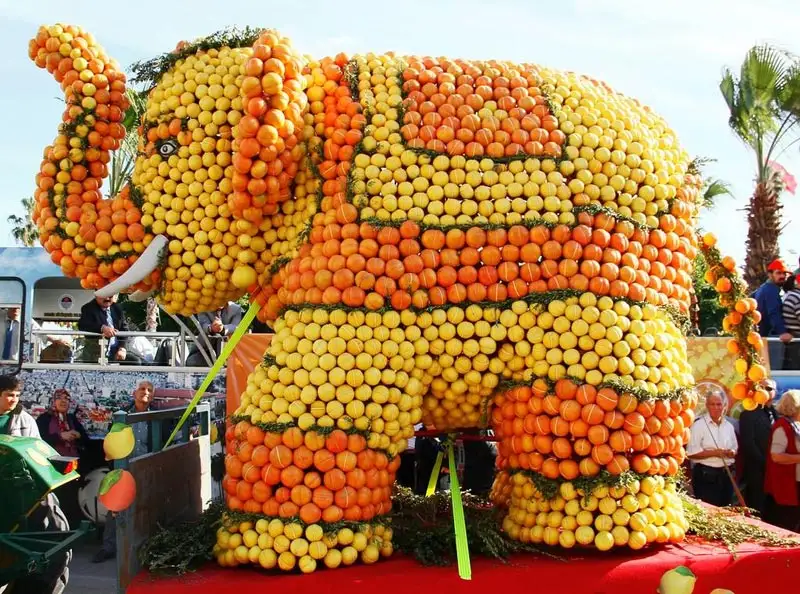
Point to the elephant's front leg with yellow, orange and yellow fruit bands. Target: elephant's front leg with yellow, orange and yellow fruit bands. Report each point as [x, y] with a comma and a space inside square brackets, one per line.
[312, 451]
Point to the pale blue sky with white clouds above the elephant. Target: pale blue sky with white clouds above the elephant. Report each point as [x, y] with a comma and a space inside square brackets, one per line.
[669, 55]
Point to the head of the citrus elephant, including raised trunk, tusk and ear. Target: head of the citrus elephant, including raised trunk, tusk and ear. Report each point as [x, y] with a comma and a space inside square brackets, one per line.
[220, 145]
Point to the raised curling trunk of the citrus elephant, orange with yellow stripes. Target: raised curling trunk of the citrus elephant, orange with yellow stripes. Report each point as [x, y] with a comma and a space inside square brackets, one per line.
[92, 238]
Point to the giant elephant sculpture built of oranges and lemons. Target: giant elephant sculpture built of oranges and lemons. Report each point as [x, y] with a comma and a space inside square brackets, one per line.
[467, 244]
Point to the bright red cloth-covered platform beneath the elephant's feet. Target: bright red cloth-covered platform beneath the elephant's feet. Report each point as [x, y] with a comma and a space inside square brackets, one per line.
[753, 570]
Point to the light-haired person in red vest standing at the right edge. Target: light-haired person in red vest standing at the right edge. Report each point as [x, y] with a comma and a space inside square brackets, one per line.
[782, 477]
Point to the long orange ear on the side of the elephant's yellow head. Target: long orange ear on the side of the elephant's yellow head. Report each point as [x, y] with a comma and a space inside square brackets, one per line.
[267, 143]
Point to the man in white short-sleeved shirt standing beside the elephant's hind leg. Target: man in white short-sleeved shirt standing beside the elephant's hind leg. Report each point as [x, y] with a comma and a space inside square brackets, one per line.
[711, 448]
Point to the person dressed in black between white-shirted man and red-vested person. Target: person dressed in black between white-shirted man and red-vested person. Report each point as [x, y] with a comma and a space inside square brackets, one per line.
[755, 427]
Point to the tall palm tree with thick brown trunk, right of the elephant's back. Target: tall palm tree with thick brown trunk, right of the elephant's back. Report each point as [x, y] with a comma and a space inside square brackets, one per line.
[764, 104]
